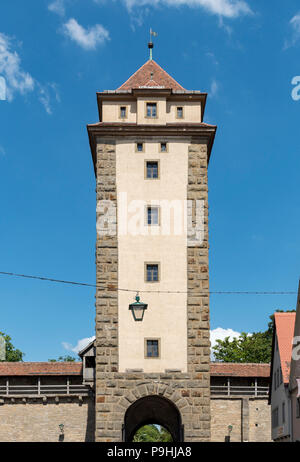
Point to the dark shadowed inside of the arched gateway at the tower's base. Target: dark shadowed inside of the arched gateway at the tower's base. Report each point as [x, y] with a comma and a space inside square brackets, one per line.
[153, 409]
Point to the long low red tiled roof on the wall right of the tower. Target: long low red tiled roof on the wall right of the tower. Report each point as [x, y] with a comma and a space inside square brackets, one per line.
[240, 370]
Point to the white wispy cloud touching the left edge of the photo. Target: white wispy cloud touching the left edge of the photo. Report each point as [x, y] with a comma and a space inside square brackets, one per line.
[16, 79]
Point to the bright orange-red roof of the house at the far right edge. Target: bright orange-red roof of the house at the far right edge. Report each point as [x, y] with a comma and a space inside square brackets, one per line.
[285, 326]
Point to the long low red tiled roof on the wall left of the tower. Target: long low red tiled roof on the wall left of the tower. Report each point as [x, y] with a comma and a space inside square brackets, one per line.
[59, 368]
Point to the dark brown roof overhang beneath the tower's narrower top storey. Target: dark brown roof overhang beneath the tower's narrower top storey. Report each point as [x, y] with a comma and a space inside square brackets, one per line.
[197, 132]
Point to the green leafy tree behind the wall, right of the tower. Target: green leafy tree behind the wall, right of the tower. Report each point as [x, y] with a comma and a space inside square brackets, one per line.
[254, 348]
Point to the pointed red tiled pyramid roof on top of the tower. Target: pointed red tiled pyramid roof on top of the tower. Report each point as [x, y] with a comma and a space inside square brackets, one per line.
[149, 75]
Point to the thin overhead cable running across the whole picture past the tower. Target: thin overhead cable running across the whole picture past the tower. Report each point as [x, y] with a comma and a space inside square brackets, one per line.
[208, 292]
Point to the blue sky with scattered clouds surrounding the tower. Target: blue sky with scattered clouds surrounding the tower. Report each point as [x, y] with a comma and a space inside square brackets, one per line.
[54, 56]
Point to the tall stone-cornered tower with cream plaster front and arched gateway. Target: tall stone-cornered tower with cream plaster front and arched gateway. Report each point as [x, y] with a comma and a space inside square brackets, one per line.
[151, 151]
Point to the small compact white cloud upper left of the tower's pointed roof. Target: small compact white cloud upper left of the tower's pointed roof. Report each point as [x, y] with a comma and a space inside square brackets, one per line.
[86, 38]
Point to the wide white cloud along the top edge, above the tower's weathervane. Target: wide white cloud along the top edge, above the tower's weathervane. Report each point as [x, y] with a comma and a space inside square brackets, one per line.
[226, 8]
